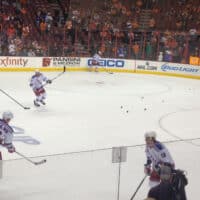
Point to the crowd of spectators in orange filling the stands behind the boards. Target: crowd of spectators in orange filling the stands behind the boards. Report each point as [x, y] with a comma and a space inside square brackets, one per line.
[142, 29]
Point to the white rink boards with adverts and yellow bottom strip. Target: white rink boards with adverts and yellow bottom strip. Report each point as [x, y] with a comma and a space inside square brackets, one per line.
[14, 64]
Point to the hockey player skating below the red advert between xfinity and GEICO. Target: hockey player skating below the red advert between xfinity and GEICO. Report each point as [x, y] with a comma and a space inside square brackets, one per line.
[37, 84]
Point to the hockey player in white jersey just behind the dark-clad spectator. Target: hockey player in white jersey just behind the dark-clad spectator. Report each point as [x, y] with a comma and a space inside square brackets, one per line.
[157, 154]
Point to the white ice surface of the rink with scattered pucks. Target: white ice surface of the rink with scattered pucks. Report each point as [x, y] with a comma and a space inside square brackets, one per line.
[86, 115]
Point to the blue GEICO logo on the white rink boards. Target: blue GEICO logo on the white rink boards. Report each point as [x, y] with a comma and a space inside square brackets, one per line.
[108, 63]
